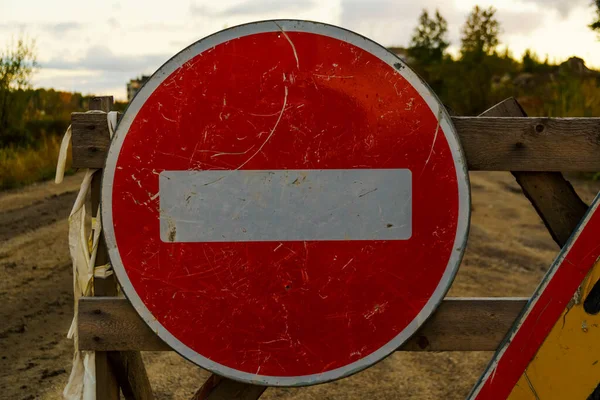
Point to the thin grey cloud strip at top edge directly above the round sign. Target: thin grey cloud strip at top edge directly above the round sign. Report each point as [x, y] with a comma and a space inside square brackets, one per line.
[253, 7]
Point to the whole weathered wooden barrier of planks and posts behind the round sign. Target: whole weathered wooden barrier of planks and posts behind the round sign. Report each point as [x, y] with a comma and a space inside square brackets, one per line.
[502, 139]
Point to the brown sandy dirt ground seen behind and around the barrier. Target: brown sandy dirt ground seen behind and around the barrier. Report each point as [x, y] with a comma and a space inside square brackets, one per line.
[509, 250]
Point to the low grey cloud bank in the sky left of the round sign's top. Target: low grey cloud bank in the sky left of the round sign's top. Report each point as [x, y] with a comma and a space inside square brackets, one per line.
[101, 58]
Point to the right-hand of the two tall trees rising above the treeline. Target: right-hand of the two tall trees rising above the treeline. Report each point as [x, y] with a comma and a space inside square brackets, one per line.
[480, 32]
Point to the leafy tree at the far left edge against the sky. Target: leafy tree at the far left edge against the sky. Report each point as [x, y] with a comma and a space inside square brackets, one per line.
[17, 65]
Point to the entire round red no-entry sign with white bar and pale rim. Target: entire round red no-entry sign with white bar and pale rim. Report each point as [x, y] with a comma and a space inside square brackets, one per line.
[285, 202]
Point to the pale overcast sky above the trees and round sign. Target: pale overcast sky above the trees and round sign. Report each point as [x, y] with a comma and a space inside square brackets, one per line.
[97, 46]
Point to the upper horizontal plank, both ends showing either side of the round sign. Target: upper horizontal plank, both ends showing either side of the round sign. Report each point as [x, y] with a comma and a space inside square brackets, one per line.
[490, 143]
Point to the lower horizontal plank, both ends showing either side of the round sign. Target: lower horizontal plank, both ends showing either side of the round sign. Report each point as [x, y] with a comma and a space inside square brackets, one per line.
[107, 324]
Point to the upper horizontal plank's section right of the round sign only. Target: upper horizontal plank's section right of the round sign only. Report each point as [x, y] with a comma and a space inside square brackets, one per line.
[530, 144]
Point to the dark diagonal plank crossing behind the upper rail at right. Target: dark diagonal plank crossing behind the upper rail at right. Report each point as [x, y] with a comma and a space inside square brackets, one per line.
[552, 196]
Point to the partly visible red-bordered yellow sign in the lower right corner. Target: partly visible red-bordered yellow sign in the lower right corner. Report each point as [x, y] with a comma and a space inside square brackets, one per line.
[554, 348]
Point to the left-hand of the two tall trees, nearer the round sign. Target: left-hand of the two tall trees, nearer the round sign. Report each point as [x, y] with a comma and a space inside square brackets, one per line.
[429, 41]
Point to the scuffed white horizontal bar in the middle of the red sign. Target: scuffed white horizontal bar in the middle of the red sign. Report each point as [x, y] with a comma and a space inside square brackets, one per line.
[285, 205]
